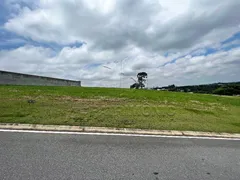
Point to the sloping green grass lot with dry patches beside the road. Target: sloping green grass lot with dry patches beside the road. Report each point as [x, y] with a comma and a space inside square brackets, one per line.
[112, 107]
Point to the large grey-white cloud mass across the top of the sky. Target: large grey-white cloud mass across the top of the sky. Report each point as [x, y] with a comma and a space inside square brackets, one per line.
[126, 22]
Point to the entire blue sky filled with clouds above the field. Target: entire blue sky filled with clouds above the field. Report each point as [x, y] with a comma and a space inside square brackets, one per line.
[181, 42]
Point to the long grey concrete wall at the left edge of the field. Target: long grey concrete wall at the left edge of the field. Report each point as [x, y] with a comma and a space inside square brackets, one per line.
[7, 78]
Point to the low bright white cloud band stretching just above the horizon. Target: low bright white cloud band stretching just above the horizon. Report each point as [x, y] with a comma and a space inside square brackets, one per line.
[73, 63]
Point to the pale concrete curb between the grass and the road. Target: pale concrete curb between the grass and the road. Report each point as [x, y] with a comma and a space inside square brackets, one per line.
[40, 127]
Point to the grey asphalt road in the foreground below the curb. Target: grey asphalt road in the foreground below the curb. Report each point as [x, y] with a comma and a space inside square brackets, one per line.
[54, 156]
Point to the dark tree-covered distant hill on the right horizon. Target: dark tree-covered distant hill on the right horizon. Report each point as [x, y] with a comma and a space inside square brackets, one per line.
[230, 88]
